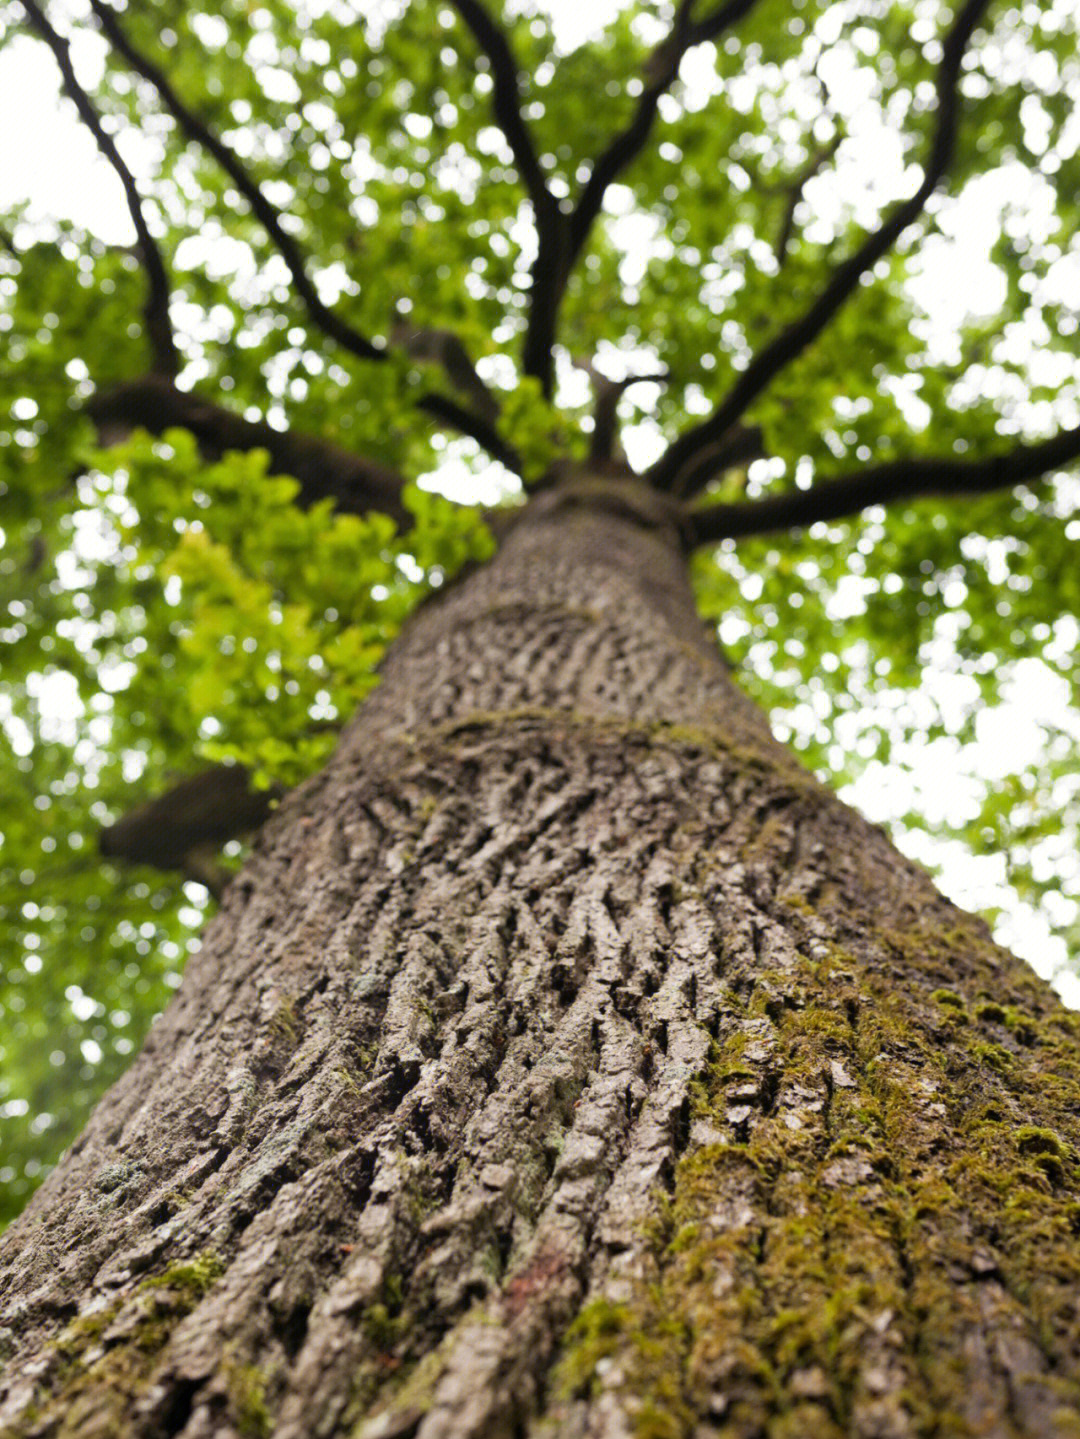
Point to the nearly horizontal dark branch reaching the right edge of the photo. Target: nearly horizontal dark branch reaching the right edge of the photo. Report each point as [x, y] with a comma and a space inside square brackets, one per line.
[884, 486]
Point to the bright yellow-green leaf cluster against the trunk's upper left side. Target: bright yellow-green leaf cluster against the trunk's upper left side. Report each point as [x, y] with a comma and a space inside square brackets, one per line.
[275, 617]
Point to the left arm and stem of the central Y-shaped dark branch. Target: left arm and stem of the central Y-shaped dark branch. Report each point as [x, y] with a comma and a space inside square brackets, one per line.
[549, 271]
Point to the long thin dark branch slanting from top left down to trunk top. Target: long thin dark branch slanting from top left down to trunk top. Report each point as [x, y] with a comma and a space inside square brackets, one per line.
[270, 217]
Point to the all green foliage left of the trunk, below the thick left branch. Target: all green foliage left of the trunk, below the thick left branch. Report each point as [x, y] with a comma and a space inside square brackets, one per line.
[160, 614]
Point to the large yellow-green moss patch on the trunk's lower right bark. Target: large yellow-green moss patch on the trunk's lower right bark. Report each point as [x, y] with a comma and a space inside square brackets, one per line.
[891, 1197]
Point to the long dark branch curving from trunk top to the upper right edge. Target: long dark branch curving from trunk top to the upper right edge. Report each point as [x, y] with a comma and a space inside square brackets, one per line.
[845, 280]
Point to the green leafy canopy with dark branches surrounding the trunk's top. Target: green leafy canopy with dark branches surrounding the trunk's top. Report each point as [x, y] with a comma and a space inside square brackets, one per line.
[389, 258]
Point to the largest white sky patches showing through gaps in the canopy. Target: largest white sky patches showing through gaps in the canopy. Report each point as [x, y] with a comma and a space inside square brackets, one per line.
[51, 160]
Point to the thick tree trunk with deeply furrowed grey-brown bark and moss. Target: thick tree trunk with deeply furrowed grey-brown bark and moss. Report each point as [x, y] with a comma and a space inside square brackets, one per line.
[569, 1063]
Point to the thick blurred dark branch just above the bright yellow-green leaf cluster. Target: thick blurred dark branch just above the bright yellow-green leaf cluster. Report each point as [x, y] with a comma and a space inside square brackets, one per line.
[323, 470]
